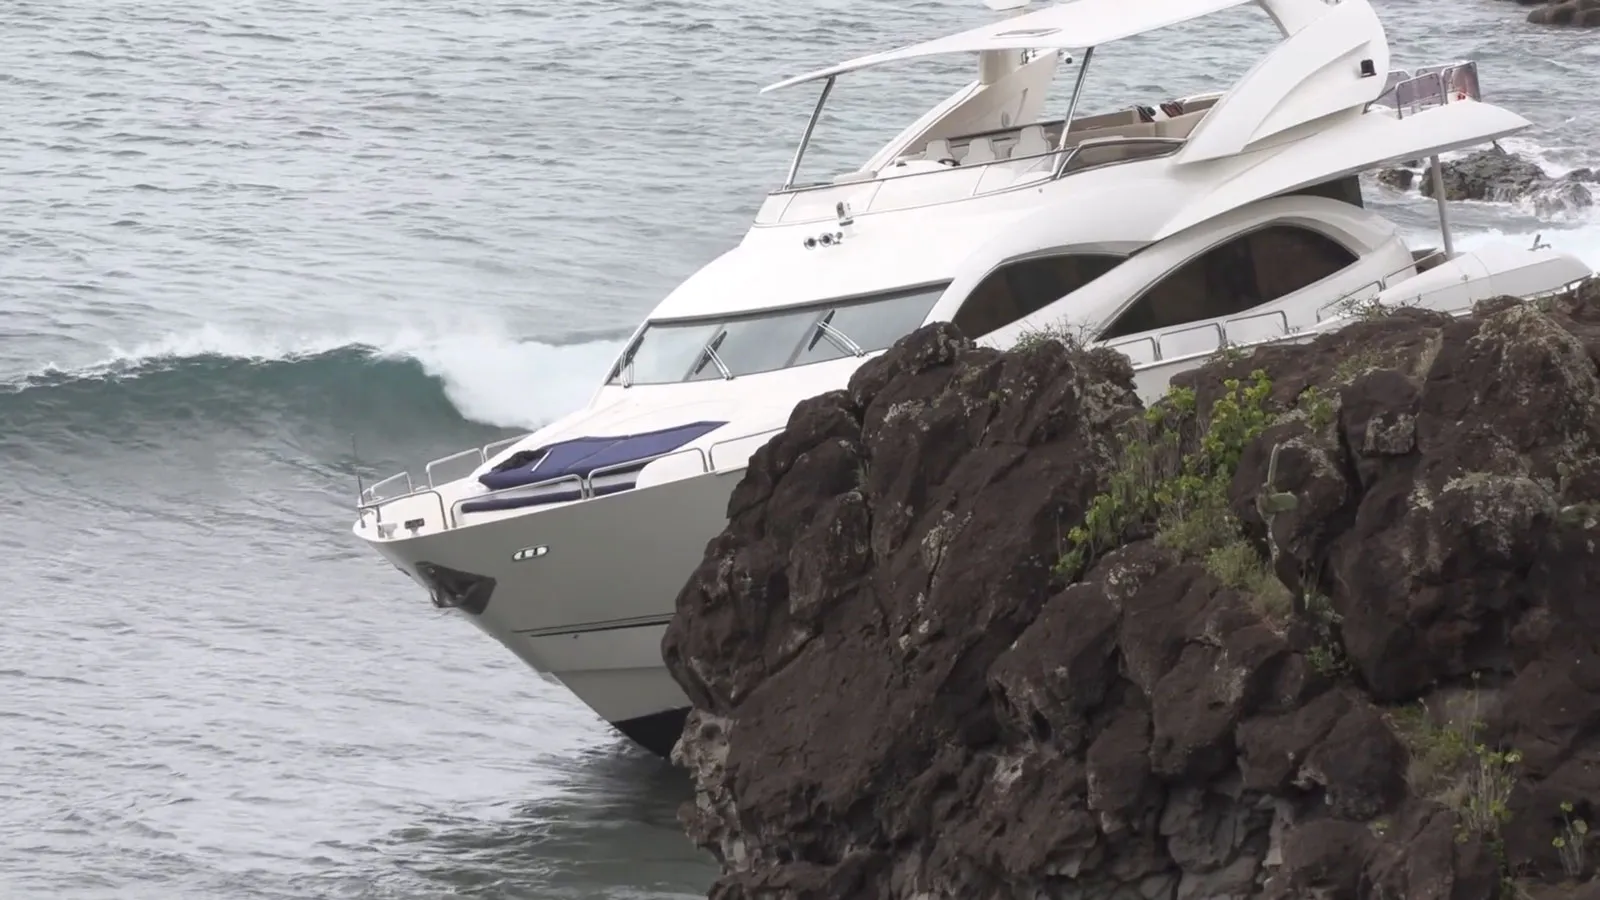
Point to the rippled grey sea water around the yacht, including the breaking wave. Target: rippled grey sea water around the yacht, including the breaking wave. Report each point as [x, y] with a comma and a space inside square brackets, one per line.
[241, 238]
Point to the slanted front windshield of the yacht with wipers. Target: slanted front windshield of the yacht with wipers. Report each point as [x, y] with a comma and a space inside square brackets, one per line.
[767, 342]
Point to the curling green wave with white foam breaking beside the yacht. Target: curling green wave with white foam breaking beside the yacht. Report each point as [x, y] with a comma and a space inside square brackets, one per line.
[217, 380]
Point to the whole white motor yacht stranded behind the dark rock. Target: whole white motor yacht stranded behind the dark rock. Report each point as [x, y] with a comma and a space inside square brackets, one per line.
[1166, 230]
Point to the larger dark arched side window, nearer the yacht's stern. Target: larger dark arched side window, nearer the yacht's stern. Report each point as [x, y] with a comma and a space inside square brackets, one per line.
[1236, 276]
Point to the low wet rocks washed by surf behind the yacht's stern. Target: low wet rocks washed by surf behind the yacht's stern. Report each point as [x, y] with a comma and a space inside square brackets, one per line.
[1497, 175]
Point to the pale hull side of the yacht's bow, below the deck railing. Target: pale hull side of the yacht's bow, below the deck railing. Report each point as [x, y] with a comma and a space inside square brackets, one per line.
[583, 592]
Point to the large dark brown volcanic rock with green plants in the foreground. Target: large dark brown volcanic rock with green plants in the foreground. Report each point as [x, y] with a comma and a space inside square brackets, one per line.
[1322, 624]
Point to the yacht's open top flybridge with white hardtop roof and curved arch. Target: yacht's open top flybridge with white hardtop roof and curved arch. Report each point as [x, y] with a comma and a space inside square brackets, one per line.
[1329, 62]
